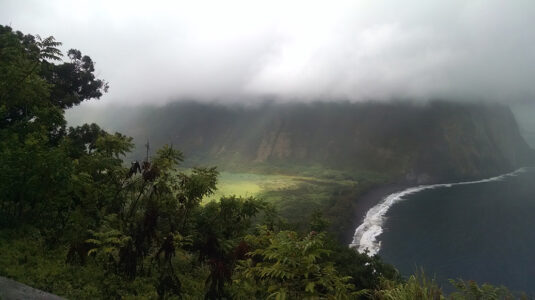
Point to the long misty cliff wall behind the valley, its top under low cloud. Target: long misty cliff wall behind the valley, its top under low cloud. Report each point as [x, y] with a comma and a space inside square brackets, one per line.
[418, 143]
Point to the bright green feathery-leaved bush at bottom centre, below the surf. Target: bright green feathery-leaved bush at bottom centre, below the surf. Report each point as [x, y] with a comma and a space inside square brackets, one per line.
[284, 265]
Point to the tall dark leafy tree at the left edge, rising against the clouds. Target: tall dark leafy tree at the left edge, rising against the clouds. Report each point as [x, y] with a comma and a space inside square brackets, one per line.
[37, 177]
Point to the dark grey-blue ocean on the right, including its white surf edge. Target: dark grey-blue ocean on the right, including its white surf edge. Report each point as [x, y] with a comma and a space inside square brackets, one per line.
[481, 230]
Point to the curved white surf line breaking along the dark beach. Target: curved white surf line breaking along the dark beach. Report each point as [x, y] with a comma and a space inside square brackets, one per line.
[365, 238]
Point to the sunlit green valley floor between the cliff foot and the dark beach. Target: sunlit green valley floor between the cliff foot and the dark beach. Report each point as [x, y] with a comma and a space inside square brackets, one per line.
[298, 192]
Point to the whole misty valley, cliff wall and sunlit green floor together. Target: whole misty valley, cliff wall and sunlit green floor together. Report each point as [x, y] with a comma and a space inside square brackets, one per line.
[307, 157]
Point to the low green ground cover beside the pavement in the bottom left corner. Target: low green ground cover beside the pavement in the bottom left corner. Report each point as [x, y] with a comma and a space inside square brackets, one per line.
[26, 258]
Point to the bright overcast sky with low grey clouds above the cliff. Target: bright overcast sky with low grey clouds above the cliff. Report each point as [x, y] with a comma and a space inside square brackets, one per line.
[157, 51]
